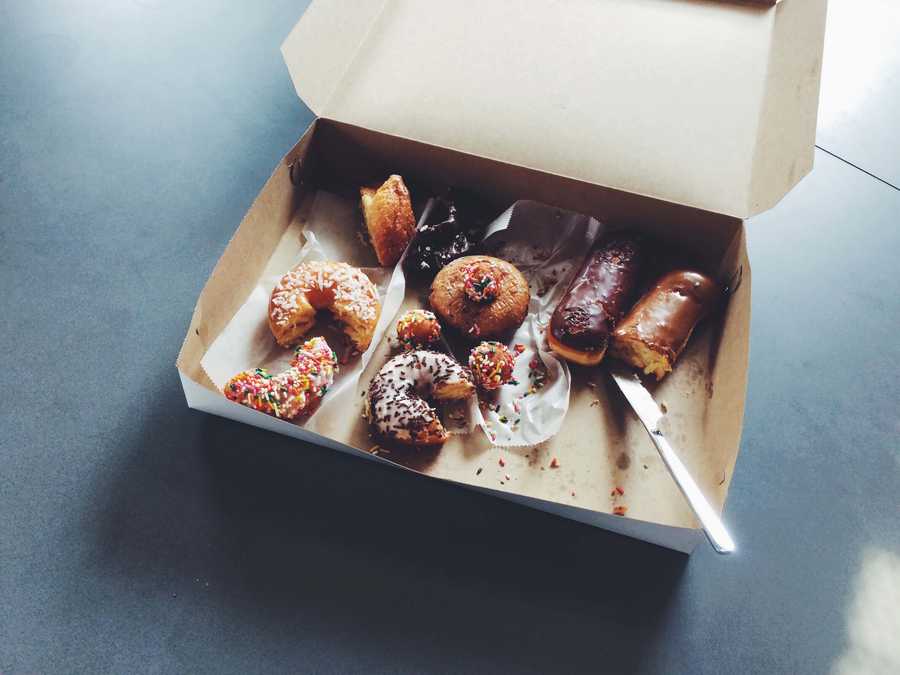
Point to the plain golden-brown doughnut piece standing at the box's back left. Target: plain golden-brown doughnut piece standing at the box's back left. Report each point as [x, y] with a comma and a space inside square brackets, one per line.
[387, 212]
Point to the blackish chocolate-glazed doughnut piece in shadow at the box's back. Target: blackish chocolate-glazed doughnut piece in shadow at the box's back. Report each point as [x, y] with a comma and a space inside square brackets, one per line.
[451, 230]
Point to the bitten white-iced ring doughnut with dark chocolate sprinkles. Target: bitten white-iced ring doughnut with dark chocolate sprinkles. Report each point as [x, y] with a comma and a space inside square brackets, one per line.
[396, 405]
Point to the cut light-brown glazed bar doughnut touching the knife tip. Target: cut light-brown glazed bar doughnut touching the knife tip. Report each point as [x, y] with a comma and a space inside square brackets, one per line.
[656, 330]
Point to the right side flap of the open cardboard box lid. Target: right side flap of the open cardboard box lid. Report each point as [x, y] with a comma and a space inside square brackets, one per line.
[785, 148]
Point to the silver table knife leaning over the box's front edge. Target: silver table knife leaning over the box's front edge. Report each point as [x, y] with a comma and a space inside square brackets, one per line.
[650, 415]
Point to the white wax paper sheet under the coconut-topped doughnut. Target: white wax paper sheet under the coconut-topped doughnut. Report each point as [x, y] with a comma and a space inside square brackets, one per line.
[330, 232]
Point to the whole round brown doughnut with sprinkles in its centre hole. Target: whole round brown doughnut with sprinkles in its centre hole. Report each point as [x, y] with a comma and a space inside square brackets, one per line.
[480, 296]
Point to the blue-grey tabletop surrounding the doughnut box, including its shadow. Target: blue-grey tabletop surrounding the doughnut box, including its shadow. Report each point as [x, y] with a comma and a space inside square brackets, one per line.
[137, 535]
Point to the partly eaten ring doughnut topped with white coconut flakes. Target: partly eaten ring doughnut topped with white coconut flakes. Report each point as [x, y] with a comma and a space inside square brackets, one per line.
[345, 291]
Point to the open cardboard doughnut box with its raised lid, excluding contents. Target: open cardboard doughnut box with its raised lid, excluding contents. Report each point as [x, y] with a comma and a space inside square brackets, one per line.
[675, 118]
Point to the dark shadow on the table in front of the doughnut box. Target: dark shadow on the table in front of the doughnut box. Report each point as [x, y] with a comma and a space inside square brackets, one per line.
[299, 537]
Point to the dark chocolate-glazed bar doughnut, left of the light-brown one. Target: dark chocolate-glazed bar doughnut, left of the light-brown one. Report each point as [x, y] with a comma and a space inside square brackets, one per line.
[595, 301]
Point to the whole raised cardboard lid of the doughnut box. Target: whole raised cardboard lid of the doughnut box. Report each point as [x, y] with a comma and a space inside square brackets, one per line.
[705, 103]
